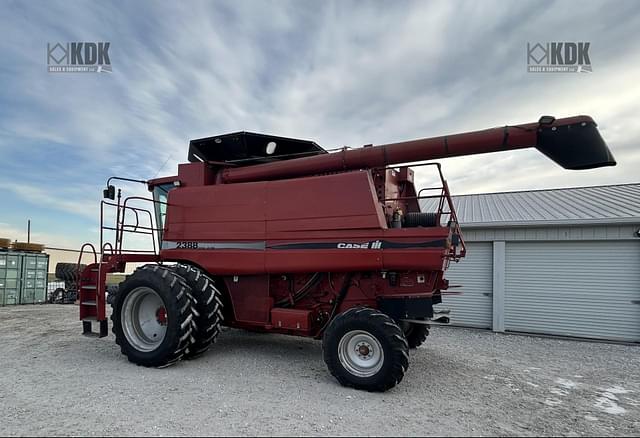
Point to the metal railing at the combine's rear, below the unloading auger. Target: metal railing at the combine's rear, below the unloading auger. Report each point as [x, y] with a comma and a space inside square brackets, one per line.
[445, 212]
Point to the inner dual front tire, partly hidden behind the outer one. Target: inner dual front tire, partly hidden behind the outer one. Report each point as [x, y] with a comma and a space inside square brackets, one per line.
[206, 306]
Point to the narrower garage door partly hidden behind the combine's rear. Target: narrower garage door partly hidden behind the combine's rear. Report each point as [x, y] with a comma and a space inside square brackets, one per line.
[474, 308]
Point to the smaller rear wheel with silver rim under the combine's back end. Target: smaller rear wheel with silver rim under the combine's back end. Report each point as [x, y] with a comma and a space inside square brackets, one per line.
[365, 349]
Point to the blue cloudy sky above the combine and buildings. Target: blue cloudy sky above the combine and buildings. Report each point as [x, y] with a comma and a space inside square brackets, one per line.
[339, 73]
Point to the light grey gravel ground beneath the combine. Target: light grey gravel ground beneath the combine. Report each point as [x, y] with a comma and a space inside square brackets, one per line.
[53, 381]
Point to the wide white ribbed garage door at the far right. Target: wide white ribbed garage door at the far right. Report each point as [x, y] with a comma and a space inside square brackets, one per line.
[584, 289]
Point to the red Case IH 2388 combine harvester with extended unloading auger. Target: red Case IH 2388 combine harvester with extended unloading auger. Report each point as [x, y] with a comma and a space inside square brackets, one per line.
[274, 234]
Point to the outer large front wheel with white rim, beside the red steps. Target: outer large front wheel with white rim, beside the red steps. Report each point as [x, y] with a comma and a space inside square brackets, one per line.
[152, 316]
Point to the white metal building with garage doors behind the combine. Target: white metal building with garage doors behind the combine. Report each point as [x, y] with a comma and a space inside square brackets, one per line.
[559, 262]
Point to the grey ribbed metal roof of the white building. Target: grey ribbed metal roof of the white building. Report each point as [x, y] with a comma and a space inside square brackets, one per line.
[572, 206]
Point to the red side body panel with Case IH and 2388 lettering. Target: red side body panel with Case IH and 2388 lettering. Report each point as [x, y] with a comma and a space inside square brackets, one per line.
[311, 211]
